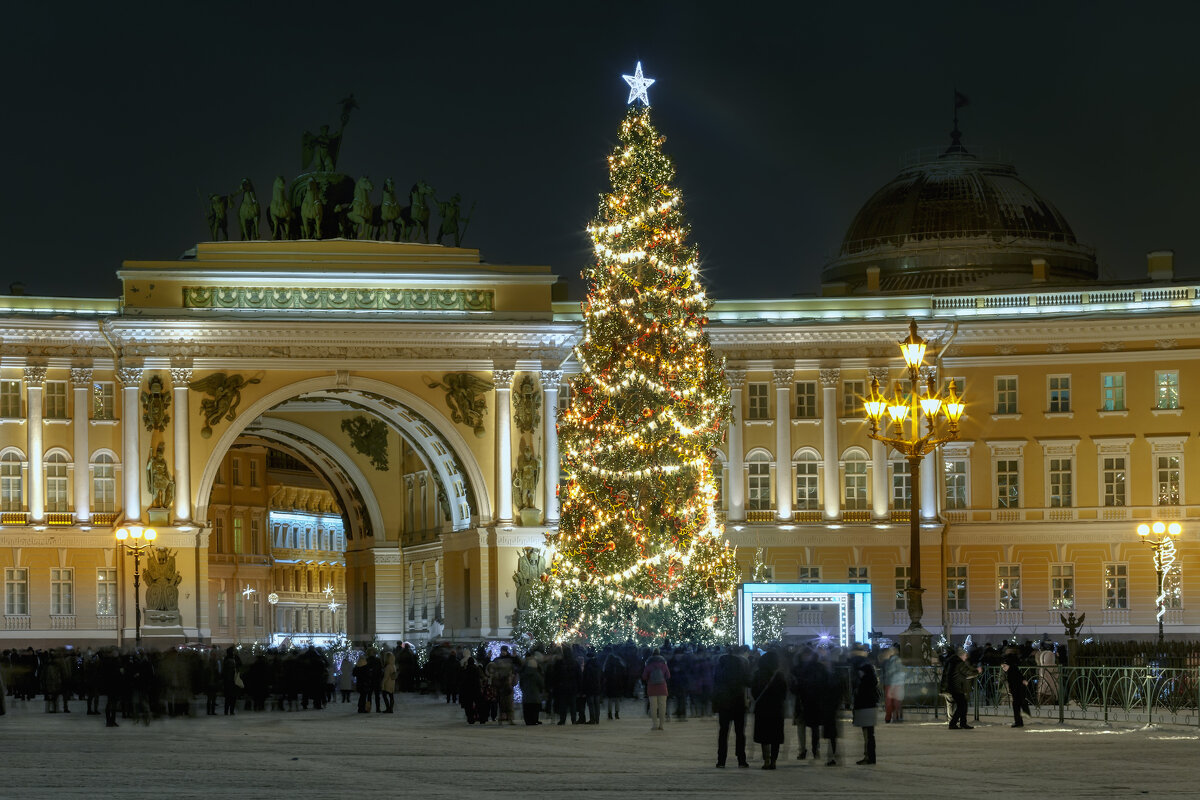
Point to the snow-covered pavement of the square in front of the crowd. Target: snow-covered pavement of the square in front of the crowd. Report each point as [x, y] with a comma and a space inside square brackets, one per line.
[427, 750]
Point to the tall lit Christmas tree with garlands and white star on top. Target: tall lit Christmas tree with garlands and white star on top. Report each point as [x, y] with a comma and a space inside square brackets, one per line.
[639, 552]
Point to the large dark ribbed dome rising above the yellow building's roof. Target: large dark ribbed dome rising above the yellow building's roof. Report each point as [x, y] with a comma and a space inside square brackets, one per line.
[957, 222]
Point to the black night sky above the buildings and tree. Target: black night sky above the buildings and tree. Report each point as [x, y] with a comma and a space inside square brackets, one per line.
[782, 123]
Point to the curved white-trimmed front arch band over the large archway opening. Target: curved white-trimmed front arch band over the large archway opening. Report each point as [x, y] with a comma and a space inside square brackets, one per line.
[423, 424]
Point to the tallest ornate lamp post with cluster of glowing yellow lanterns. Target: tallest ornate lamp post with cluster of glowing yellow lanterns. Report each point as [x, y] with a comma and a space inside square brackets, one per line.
[907, 416]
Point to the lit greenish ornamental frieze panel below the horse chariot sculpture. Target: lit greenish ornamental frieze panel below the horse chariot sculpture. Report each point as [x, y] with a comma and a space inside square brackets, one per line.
[333, 299]
